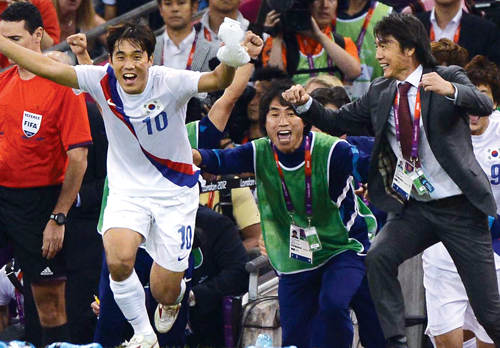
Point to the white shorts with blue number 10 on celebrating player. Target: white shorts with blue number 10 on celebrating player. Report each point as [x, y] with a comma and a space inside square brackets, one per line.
[167, 224]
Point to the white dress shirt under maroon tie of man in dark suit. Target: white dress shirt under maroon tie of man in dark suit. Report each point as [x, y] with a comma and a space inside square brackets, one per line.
[443, 184]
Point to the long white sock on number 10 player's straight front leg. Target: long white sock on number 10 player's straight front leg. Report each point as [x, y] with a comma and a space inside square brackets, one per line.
[131, 299]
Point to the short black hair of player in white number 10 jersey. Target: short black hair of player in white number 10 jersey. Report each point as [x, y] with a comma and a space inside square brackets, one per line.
[135, 31]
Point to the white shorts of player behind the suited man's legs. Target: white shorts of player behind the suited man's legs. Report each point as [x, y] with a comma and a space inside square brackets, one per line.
[448, 306]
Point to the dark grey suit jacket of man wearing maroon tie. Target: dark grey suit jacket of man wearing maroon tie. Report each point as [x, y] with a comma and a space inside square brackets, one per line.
[446, 126]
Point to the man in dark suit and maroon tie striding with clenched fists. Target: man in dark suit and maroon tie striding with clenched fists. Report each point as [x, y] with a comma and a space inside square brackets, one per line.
[437, 153]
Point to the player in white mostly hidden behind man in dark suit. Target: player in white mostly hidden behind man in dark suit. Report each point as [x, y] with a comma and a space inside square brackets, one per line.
[448, 306]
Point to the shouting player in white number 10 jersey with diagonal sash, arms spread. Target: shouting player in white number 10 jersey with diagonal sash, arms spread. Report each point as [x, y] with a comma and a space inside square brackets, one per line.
[153, 184]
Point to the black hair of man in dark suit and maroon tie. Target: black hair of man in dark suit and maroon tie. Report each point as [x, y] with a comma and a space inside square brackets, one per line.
[410, 33]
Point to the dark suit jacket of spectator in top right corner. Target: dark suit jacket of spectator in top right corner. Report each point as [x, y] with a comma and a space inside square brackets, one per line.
[477, 35]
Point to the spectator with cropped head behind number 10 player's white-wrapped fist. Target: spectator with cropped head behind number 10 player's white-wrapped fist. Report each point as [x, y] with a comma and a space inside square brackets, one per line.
[213, 18]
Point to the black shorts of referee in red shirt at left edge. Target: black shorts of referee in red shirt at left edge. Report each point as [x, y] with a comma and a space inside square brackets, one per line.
[24, 213]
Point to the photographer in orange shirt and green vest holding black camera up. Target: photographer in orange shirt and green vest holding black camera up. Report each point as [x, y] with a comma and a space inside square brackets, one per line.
[305, 49]
